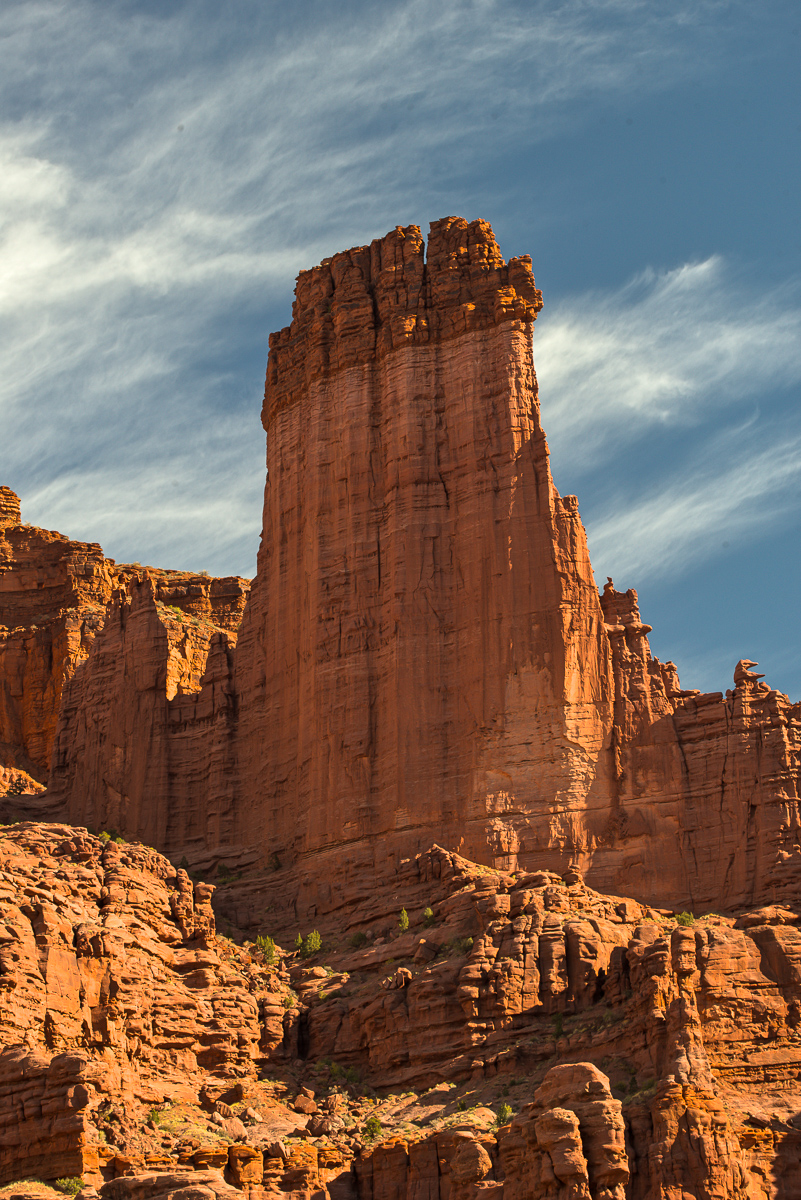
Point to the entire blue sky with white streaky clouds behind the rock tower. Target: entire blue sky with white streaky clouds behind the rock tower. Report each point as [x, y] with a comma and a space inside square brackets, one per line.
[166, 170]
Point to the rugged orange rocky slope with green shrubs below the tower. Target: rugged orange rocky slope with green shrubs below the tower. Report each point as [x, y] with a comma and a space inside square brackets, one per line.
[522, 1036]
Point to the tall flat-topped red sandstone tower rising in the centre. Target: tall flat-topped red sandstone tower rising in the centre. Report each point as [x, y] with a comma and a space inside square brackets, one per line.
[424, 652]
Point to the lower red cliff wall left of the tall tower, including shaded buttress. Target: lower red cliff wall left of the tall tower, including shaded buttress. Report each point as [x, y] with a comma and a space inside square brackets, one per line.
[133, 711]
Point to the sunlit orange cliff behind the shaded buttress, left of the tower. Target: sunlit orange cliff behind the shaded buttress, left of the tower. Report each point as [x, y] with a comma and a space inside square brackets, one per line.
[55, 595]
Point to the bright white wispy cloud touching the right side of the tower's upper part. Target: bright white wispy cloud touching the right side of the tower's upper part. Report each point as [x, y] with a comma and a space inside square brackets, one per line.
[671, 347]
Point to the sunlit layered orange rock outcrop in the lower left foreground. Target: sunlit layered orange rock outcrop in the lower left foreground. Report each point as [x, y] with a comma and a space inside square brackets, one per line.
[115, 997]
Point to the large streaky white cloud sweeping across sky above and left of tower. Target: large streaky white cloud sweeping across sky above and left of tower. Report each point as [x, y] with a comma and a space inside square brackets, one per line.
[162, 179]
